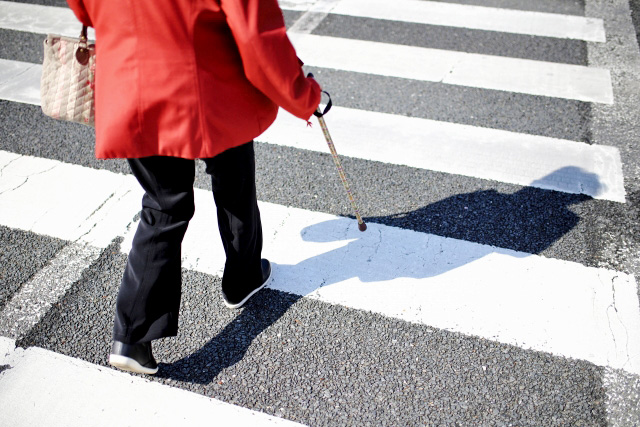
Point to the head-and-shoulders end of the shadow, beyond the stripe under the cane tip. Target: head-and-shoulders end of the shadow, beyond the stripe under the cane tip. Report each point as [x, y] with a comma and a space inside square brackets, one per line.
[529, 220]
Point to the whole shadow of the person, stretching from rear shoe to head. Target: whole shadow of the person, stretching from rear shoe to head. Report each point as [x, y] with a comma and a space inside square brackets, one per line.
[454, 232]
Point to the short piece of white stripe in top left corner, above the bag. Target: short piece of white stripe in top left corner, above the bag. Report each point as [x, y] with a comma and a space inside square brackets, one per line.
[40, 19]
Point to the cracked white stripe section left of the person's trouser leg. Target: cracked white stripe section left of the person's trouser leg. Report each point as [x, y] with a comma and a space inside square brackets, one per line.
[65, 201]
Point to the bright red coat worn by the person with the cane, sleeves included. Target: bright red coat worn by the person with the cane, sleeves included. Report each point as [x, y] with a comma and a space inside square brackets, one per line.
[190, 78]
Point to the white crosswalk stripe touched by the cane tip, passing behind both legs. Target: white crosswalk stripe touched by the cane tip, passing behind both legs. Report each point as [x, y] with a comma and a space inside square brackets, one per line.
[512, 297]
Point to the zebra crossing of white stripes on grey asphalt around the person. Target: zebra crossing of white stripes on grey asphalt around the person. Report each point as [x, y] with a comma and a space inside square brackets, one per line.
[490, 248]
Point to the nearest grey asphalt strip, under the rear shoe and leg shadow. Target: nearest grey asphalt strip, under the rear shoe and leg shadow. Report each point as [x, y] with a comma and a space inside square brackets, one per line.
[311, 362]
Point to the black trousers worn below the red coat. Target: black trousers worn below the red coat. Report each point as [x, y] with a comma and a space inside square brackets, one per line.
[149, 298]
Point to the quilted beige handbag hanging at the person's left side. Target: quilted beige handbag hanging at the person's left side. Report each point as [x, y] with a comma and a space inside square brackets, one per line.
[68, 78]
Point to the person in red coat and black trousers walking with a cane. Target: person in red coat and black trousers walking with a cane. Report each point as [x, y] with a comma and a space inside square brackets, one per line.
[179, 80]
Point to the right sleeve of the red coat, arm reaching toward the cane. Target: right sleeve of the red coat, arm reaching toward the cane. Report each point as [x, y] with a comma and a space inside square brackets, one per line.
[268, 57]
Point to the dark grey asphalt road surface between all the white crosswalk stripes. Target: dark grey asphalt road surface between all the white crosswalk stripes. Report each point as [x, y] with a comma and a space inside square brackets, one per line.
[323, 364]
